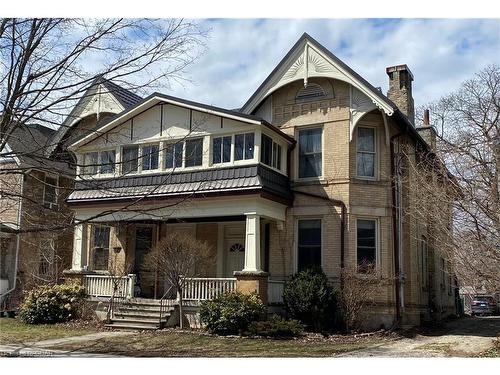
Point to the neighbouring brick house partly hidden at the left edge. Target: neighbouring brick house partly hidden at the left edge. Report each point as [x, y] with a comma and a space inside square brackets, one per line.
[37, 175]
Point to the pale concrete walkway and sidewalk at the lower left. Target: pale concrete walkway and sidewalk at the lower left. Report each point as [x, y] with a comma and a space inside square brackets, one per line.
[38, 349]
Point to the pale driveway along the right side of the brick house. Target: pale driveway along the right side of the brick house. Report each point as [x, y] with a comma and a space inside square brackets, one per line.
[465, 337]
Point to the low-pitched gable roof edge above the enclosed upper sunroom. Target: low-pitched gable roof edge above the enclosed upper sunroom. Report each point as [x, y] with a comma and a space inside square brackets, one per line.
[157, 98]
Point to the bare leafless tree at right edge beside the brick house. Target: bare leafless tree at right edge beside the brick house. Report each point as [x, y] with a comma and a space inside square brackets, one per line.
[466, 223]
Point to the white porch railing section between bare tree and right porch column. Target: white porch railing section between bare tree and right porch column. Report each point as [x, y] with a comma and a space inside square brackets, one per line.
[199, 289]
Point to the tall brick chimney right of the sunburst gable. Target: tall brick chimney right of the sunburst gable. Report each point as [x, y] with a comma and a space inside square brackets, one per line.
[400, 79]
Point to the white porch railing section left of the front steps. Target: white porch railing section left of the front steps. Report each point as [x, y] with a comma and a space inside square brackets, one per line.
[103, 285]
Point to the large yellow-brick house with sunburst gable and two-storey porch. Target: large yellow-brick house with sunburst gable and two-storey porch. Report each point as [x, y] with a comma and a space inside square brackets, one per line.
[307, 173]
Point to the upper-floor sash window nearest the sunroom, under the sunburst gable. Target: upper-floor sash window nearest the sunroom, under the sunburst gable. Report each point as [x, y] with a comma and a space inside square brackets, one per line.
[310, 152]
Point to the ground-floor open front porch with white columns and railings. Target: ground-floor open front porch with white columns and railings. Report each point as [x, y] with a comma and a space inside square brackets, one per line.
[110, 255]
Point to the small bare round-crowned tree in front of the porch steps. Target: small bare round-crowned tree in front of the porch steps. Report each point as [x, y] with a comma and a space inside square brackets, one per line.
[179, 257]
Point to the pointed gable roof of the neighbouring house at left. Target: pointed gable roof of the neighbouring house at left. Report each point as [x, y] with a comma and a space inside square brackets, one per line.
[124, 97]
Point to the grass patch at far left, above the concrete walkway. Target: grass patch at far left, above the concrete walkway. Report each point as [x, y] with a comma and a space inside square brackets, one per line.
[14, 331]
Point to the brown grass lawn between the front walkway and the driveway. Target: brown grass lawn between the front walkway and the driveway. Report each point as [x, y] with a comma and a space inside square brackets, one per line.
[175, 343]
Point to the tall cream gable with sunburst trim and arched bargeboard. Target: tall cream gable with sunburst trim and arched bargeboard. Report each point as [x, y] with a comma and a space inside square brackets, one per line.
[297, 63]
